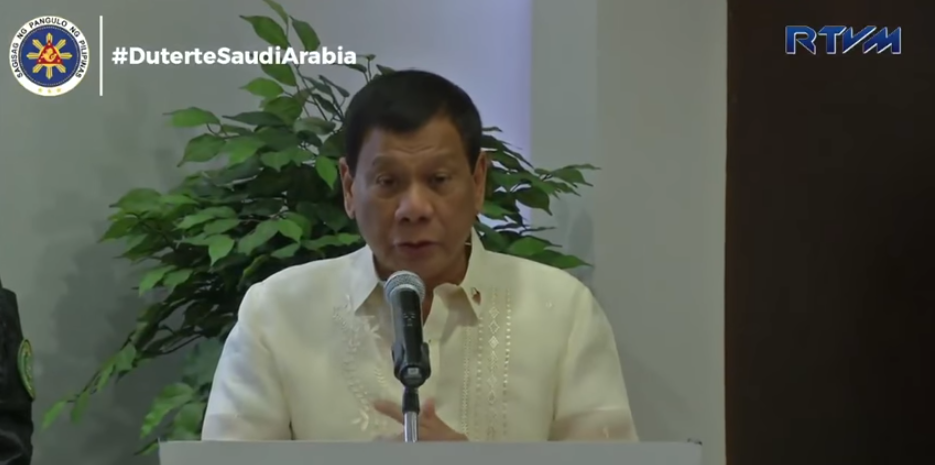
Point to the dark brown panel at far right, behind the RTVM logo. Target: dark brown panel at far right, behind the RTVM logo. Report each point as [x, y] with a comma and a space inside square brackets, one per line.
[830, 261]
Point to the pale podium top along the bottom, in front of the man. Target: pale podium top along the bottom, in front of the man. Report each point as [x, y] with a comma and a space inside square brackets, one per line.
[427, 453]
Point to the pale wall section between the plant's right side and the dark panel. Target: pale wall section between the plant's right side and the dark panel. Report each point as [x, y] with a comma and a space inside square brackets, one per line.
[640, 89]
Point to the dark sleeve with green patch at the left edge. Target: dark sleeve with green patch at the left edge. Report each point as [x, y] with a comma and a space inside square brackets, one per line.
[16, 424]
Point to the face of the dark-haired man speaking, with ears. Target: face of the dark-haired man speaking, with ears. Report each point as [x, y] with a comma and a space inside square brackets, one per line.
[415, 199]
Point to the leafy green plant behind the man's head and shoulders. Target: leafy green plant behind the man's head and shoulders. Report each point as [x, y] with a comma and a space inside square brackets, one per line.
[275, 202]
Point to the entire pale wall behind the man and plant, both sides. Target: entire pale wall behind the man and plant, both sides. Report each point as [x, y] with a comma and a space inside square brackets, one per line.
[598, 81]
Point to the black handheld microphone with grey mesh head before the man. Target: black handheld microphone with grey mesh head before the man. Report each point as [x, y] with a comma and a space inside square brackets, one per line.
[405, 293]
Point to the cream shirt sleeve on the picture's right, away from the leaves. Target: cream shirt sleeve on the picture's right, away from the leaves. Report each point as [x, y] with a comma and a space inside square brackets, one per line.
[591, 399]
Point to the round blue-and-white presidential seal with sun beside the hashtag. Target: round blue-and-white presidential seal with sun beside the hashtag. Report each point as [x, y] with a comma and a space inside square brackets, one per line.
[49, 56]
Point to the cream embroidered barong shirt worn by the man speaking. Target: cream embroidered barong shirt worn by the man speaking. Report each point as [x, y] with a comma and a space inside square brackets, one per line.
[519, 351]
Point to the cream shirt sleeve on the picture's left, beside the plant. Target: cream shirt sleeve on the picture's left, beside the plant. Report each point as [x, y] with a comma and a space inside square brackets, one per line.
[247, 401]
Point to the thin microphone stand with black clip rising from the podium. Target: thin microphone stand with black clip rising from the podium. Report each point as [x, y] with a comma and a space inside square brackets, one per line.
[412, 372]
